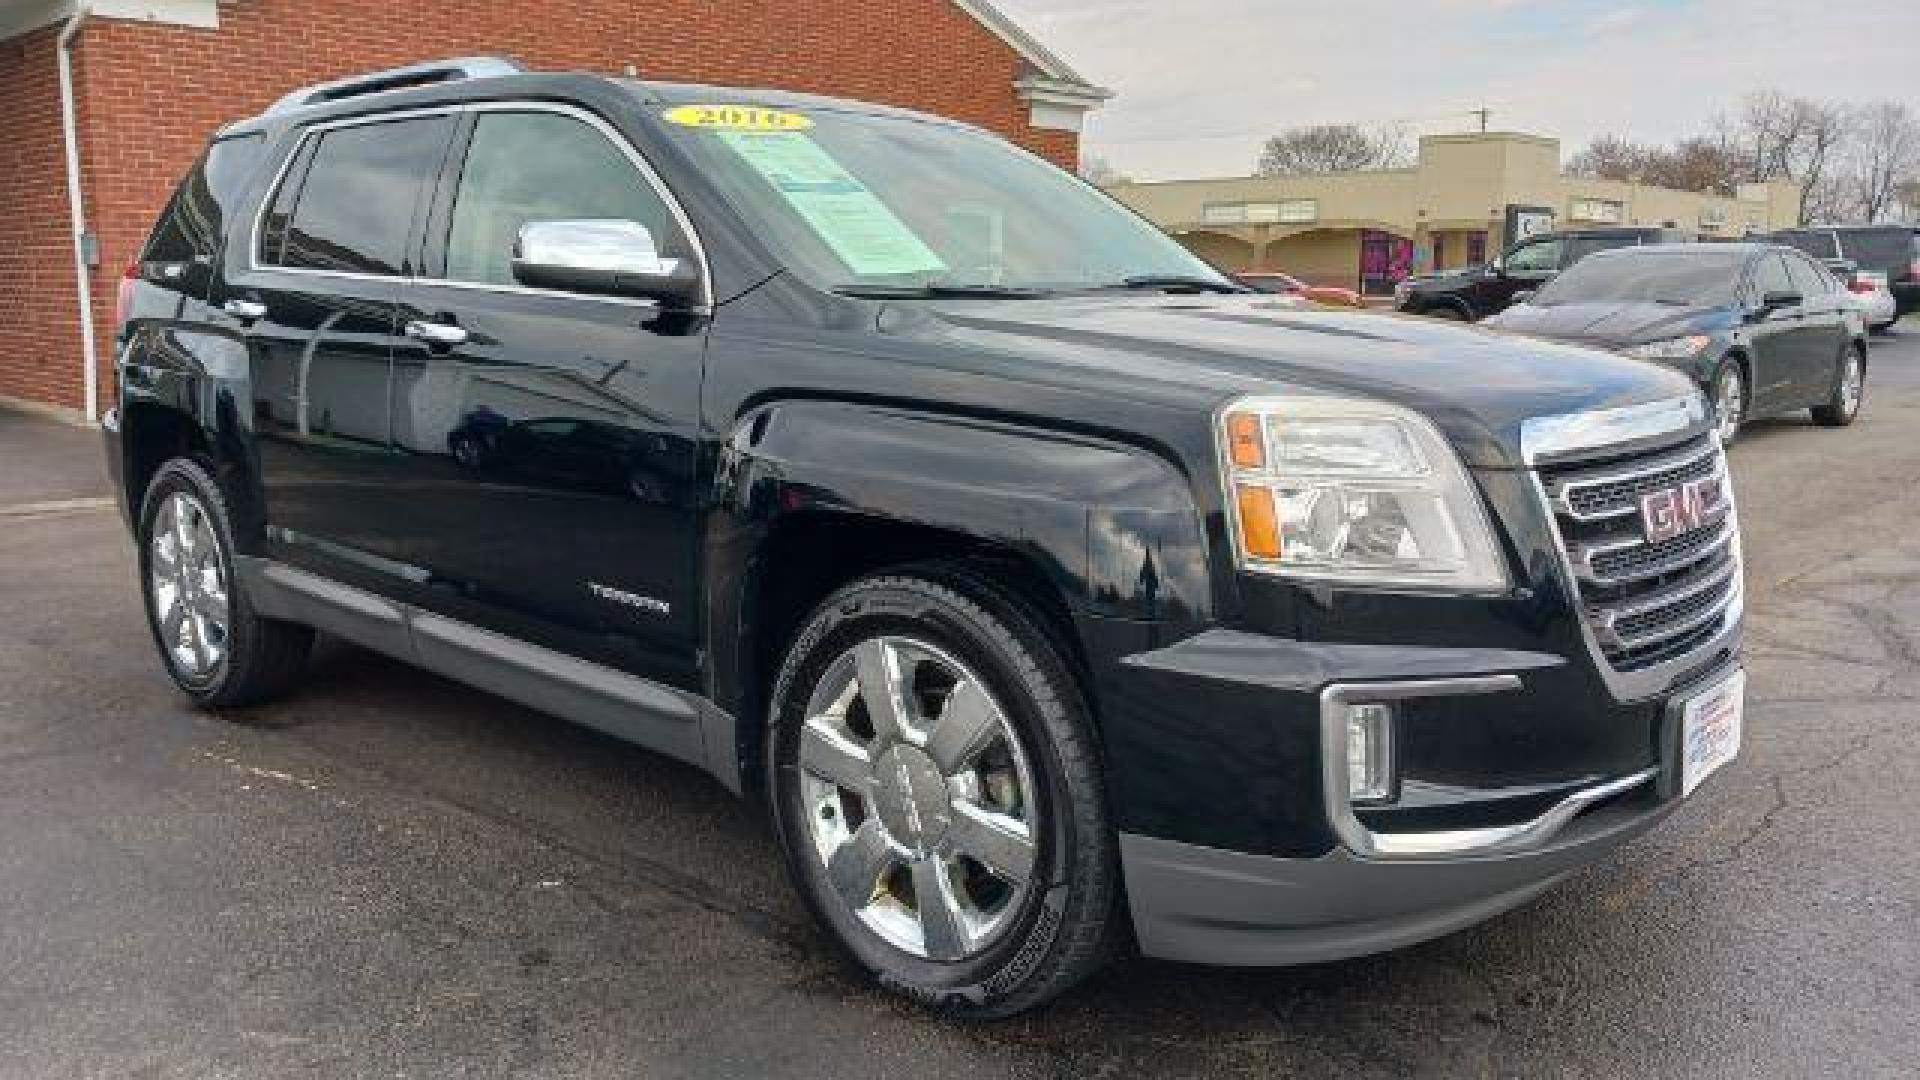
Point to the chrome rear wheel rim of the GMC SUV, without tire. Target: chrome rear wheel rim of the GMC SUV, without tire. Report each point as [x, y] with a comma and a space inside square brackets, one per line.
[189, 587]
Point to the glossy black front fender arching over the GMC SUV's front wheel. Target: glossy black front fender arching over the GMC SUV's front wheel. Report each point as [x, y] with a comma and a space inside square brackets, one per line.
[815, 495]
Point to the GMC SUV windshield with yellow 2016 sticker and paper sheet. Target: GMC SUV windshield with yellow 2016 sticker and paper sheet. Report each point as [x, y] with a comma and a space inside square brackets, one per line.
[876, 203]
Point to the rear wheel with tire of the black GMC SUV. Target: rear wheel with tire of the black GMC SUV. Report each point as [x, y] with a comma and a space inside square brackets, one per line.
[216, 647]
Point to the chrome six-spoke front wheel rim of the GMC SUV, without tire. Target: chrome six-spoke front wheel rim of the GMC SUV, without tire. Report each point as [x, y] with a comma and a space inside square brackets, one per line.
[919, 798]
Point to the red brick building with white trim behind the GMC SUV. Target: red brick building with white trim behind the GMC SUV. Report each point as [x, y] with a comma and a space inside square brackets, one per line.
[153, 80]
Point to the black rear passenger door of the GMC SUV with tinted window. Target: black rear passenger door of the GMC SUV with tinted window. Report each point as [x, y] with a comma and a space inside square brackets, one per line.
[316, 291]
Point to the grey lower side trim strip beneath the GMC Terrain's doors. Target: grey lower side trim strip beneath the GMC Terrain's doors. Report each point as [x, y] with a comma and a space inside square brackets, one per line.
[625, 706]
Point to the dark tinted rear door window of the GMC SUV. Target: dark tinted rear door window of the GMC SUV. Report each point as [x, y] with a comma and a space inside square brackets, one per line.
[348, 203]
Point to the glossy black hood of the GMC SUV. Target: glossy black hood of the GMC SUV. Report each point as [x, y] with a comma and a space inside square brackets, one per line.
[1479, 387]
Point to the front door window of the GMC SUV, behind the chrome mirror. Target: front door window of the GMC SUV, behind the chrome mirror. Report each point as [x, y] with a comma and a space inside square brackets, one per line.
[542, 168]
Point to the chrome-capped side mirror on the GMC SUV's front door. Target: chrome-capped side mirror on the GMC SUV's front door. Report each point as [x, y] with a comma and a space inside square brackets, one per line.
[604, 258]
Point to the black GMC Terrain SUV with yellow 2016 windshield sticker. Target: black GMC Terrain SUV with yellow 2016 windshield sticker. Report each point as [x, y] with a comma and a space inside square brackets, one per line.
[1049, 591]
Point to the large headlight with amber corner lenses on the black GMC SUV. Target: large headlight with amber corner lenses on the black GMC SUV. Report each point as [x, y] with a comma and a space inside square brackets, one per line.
[1362, 493]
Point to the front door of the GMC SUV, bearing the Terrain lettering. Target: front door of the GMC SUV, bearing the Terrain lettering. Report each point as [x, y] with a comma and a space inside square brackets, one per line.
[548, 437]
